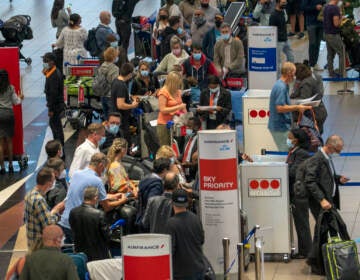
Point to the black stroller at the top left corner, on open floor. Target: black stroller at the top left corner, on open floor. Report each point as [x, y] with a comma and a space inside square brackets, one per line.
[15, 30]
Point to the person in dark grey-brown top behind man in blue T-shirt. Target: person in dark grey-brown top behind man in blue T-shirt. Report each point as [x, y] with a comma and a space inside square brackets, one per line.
[309, 84]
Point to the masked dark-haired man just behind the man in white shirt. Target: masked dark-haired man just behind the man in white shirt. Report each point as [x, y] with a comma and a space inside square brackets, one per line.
[112, 130]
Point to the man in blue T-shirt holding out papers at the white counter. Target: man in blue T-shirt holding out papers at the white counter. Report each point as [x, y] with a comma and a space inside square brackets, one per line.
[280, 109]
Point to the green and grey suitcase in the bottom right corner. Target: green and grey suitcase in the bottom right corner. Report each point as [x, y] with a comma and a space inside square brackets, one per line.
[341, 259]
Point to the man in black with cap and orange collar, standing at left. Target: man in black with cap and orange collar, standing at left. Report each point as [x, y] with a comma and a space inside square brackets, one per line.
[54, 91]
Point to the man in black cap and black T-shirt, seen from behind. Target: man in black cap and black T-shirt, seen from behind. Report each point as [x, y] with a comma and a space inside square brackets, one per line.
[187, 238]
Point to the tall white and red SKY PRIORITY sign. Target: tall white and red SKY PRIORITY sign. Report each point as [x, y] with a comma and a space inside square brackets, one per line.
[219, 199]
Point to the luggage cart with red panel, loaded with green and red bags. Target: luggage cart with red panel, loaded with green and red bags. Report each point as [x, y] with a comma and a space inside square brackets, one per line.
[81, 104]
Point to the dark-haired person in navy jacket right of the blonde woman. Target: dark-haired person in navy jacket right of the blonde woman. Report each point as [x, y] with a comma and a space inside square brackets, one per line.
[152, 184]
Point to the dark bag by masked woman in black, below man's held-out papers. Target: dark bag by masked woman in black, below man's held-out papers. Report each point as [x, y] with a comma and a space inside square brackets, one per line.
[309, 125]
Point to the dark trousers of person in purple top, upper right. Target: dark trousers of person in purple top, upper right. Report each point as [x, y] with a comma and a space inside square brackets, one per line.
[334, 45]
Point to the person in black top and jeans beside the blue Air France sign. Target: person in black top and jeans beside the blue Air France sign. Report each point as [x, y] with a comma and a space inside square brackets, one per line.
[278, 18]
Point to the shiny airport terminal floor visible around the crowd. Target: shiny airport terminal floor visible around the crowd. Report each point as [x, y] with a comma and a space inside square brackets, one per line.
[344, 119]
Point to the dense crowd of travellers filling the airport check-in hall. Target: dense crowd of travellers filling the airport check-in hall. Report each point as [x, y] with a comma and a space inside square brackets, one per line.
[195, 48]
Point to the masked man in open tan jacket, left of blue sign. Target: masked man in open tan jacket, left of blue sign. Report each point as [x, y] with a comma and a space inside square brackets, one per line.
[229, 54]
